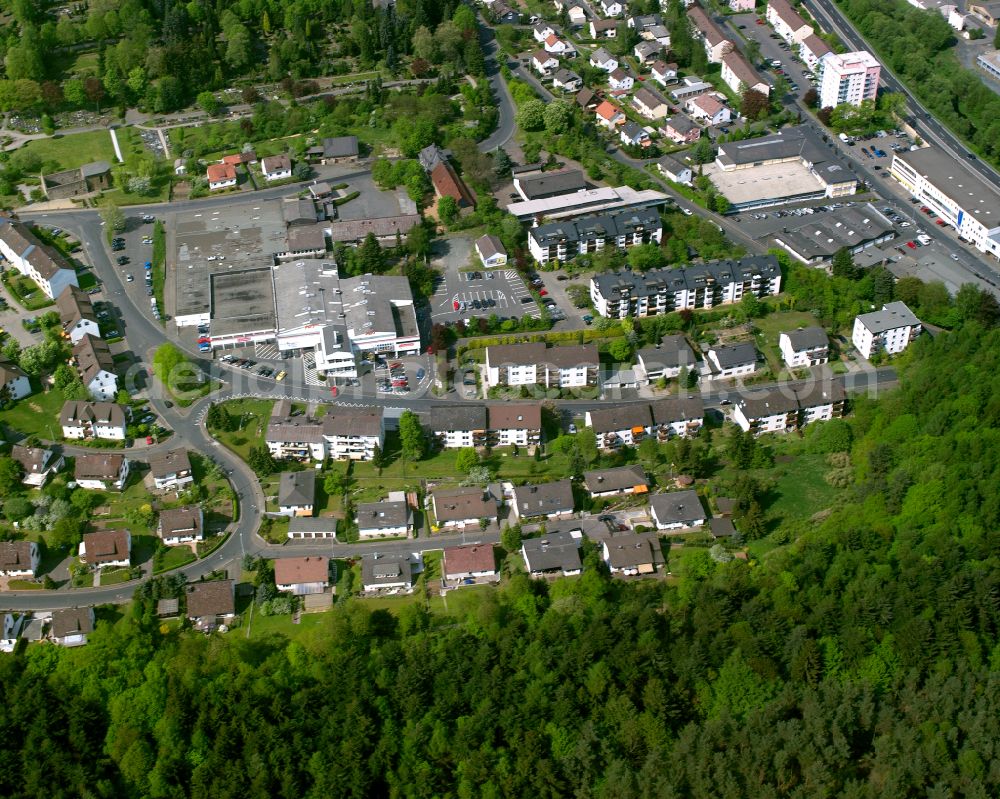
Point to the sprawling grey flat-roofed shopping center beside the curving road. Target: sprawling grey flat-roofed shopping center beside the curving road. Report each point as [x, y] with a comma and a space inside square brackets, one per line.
[243, 271]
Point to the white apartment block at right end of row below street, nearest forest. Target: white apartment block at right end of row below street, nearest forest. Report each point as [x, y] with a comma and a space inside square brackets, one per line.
[784, 409]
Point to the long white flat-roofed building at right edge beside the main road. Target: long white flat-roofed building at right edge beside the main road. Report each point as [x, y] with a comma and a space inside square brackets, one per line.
[959, 197]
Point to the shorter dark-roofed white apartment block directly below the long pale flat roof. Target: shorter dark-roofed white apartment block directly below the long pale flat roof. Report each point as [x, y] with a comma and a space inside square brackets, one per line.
[561, 241]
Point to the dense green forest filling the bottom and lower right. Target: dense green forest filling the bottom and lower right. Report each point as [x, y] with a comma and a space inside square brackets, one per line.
[858, 660]
